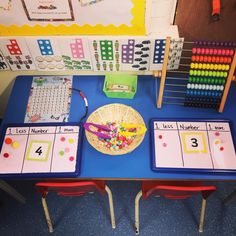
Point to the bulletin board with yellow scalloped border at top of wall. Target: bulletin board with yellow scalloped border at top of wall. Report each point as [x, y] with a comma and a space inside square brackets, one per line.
[16, 20]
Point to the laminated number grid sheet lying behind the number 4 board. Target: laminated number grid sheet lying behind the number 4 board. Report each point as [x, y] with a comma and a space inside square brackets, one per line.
[49, 100]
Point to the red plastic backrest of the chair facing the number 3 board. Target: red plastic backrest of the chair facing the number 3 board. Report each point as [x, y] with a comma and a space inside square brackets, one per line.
[175, 189]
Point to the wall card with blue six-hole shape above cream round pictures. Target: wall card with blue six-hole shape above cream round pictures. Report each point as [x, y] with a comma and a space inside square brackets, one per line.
[46, 53]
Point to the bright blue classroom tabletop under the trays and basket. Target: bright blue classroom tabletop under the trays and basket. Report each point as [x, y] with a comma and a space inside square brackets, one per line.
[136, 165]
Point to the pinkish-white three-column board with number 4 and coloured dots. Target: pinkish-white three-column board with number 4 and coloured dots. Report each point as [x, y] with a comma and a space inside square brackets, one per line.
[41, 150]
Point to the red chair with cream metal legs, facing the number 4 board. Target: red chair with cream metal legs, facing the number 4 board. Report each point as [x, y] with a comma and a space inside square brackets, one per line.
[76, 188]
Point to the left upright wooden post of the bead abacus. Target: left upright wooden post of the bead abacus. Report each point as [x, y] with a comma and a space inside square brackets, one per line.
[163, 73]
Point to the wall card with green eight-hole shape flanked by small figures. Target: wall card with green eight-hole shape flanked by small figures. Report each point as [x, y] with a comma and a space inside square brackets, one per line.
[105, 54]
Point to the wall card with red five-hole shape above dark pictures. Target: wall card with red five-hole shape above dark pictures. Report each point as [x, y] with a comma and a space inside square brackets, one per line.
[17, 53]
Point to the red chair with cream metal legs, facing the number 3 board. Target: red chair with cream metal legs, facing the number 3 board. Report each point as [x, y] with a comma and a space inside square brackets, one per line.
[173, 190]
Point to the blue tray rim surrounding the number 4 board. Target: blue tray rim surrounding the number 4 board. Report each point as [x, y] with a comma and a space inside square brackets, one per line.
[47, 175]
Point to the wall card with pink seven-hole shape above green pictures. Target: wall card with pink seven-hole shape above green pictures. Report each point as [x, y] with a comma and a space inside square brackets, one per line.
[75, 53]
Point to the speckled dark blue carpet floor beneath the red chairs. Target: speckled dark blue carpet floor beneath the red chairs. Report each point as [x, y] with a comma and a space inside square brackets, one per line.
[89, 215]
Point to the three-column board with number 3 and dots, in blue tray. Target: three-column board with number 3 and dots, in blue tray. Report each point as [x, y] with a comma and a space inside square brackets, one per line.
[192, 145]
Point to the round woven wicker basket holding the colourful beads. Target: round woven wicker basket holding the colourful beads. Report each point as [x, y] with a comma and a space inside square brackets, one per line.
[117, 113]
